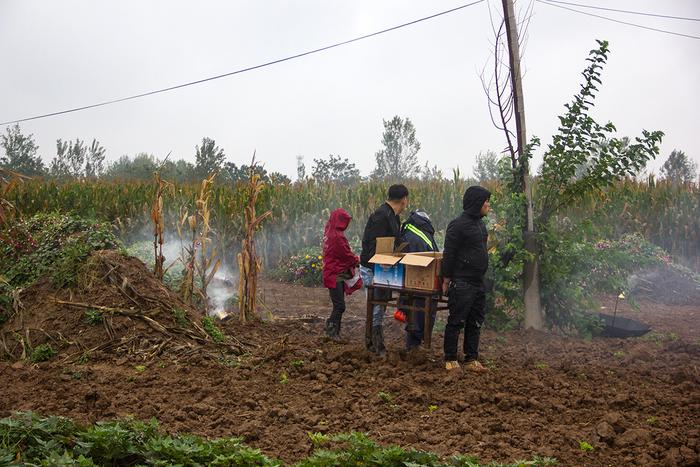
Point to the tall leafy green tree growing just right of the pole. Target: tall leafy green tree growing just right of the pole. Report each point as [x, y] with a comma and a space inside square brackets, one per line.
[580, 142]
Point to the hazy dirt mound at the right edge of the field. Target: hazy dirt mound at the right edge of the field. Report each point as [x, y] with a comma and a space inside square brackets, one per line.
[667, 286]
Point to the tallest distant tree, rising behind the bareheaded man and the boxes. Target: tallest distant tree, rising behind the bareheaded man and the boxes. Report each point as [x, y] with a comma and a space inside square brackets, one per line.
[398, 158]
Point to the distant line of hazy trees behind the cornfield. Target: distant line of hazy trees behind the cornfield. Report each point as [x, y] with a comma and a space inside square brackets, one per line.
[396, 160]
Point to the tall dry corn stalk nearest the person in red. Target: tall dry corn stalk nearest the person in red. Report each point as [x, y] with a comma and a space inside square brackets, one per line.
[248, 262]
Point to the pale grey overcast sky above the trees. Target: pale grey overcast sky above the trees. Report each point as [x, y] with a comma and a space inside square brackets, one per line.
[62, 54]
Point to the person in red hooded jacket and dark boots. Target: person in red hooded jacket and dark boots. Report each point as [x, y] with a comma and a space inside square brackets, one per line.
[339, 268]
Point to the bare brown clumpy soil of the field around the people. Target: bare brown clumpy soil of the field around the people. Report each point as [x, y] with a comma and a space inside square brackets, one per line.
[636, 401]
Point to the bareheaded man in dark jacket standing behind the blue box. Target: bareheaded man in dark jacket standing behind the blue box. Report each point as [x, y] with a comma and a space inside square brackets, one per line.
[384, 222]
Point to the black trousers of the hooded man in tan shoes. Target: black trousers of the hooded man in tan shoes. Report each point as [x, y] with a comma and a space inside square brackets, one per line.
[467, 305]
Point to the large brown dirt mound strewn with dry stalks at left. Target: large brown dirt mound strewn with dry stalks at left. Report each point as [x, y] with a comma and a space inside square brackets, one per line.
[117, 309]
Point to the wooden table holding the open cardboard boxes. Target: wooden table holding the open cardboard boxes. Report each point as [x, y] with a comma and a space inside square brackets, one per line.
[429, 299]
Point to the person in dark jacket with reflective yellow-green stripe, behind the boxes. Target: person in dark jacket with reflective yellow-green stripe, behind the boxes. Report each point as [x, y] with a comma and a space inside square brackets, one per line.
[418, 232]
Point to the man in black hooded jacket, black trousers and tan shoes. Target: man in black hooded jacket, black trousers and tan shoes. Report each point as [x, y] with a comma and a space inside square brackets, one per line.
[464, 264]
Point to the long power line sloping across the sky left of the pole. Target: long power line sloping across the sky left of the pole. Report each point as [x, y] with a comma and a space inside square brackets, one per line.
[243, 70]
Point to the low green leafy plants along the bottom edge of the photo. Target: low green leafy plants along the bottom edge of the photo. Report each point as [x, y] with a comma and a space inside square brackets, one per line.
[27, 439]
